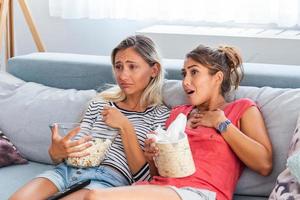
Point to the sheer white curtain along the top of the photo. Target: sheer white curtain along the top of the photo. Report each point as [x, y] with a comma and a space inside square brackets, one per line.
[283, 13]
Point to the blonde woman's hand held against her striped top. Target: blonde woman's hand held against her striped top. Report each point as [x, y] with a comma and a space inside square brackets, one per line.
[114, 118]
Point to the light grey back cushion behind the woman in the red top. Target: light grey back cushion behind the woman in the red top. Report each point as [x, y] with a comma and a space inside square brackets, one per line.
[280, 109]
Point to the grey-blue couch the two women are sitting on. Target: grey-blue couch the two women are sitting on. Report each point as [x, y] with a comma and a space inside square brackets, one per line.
[41, 90]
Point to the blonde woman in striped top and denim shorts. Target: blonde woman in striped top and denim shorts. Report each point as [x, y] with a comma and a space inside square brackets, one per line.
[133, 106]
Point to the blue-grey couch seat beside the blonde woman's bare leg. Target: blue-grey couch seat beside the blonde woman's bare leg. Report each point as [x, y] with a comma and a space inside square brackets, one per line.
[13, 177]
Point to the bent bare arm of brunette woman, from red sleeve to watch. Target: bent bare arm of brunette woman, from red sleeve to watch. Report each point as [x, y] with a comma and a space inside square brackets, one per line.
[251, 144]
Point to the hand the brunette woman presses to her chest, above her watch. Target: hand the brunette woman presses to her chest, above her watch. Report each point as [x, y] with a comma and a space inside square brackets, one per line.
[206, 118]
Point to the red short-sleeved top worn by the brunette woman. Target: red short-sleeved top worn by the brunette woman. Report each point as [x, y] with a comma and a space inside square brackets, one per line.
[217, 167]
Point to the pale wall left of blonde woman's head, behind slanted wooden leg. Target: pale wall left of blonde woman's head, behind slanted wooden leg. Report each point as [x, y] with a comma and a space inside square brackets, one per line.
[73, 36]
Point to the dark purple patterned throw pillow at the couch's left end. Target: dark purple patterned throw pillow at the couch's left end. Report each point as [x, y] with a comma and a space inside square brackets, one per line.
[9, 154]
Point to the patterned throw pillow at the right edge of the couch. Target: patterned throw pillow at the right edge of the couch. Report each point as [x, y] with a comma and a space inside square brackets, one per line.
[287, 186]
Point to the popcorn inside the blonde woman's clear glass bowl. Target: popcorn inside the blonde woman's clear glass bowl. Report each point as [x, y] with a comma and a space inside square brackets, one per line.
[97, 154]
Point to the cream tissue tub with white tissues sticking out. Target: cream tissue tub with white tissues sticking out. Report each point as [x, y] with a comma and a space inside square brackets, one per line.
[175, 157]
